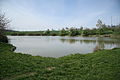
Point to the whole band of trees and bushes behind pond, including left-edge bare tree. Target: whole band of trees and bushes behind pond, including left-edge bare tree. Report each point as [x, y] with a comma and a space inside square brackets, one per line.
[101, 29]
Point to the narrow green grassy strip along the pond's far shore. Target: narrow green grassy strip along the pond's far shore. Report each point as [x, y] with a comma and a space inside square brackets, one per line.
[61, 33]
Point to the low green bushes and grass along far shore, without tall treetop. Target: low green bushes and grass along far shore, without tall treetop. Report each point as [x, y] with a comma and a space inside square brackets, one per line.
[103, 30]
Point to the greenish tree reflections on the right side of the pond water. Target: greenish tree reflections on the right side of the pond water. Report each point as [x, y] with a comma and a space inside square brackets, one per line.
[99, 43]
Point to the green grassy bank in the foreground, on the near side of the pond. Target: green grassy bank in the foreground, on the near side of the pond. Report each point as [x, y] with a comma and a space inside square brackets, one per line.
[102, 65]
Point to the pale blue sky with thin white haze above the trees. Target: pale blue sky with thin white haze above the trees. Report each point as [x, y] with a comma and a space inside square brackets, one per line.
[31, 15]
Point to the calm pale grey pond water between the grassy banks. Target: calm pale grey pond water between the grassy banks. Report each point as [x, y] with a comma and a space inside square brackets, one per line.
[57, 46]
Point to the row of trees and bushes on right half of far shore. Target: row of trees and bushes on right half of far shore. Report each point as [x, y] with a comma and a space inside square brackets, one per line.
[101, 29]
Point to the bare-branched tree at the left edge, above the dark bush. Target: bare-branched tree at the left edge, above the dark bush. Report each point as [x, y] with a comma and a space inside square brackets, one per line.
[3, 23]
